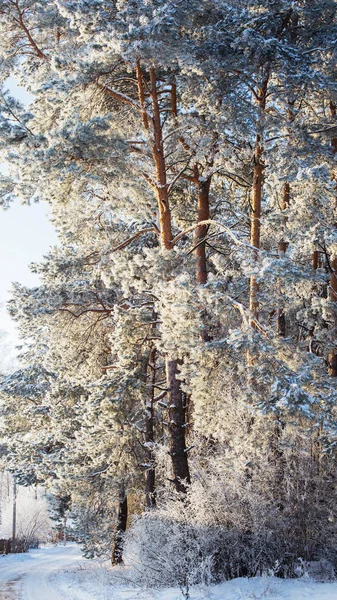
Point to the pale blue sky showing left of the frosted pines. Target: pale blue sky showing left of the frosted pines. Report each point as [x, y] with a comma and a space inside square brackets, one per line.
[25, 236]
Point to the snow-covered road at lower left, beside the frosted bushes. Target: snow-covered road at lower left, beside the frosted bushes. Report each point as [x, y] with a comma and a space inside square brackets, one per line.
[32, 576]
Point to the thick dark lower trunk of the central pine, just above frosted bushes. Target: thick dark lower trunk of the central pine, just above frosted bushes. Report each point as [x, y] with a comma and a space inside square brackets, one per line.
[177, 428]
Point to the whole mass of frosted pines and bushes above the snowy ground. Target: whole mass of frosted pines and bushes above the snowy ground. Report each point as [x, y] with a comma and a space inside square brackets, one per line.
[180, 352]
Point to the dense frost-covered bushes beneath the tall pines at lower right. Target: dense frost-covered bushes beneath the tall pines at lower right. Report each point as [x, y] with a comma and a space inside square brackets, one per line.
[239, 519]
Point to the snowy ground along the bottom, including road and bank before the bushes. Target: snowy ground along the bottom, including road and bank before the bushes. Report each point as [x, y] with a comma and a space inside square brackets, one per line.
[62, 574]
